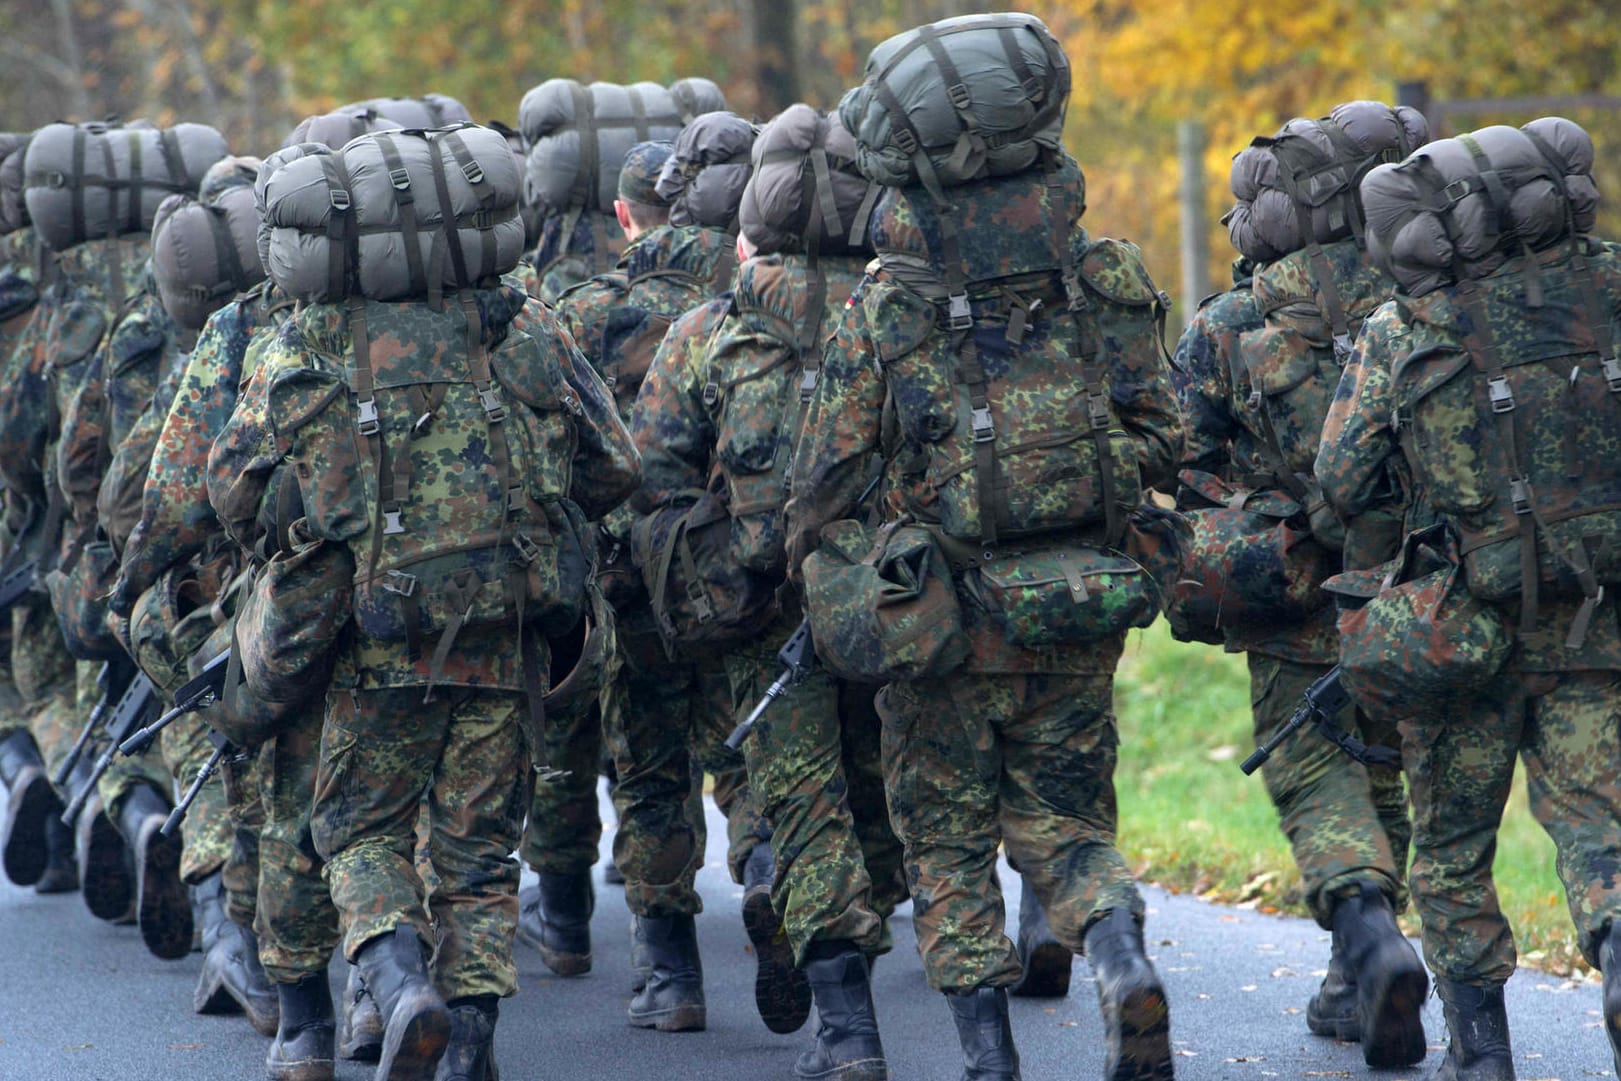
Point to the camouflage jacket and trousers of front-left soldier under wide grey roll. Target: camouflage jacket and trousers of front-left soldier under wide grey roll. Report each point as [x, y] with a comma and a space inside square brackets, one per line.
[468, 746]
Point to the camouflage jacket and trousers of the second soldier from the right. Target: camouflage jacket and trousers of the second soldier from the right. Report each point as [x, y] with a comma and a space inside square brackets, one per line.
[1346, 822]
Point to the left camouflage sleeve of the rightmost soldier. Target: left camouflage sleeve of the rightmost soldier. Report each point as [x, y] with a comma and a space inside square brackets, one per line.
[1359, 437]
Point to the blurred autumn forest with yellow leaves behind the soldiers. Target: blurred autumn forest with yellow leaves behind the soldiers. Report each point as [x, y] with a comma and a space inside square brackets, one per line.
[1238, 67]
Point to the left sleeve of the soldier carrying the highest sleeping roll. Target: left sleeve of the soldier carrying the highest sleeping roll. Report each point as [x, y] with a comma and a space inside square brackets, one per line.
[840, 437]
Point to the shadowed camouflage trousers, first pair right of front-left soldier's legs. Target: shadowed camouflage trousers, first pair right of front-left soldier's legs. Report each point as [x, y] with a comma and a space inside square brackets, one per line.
[665, 724]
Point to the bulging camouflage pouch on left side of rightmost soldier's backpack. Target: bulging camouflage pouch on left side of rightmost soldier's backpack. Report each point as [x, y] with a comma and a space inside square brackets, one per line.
[1414, 639]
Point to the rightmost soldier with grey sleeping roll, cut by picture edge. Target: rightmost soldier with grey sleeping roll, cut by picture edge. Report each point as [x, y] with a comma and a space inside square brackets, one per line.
[1453, 387]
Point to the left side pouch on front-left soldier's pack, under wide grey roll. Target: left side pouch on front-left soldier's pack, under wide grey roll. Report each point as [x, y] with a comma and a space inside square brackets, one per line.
[289, 623]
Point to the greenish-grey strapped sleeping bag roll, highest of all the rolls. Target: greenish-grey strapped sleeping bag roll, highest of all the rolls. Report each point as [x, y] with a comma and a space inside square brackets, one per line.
[960, 100]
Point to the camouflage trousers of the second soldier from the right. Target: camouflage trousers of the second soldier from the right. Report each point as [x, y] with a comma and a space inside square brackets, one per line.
[1346, 822]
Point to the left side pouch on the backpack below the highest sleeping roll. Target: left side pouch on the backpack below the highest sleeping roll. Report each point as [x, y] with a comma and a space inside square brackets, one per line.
[883, 604]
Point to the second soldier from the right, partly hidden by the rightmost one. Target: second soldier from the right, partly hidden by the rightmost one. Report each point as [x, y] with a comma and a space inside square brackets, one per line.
[1346, 822]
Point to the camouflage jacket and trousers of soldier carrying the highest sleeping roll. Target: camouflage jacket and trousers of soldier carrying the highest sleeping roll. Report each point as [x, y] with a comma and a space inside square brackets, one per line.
[1017, 746]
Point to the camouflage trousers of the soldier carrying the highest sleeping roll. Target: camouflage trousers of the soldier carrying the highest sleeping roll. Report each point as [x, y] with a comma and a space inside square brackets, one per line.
[1025, 761]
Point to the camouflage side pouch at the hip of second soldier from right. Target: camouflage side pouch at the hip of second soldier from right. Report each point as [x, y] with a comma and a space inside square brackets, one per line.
[1252, 562]
